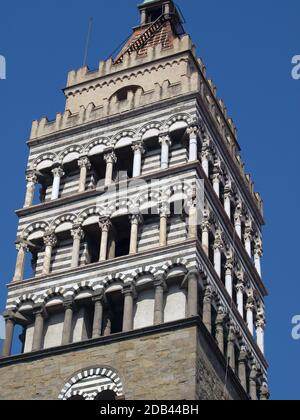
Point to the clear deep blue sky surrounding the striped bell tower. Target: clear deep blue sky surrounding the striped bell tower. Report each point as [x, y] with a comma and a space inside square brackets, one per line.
[247, 47]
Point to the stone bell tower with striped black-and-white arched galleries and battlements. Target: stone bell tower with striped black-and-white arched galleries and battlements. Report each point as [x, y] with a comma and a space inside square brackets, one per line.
[144, 236]
